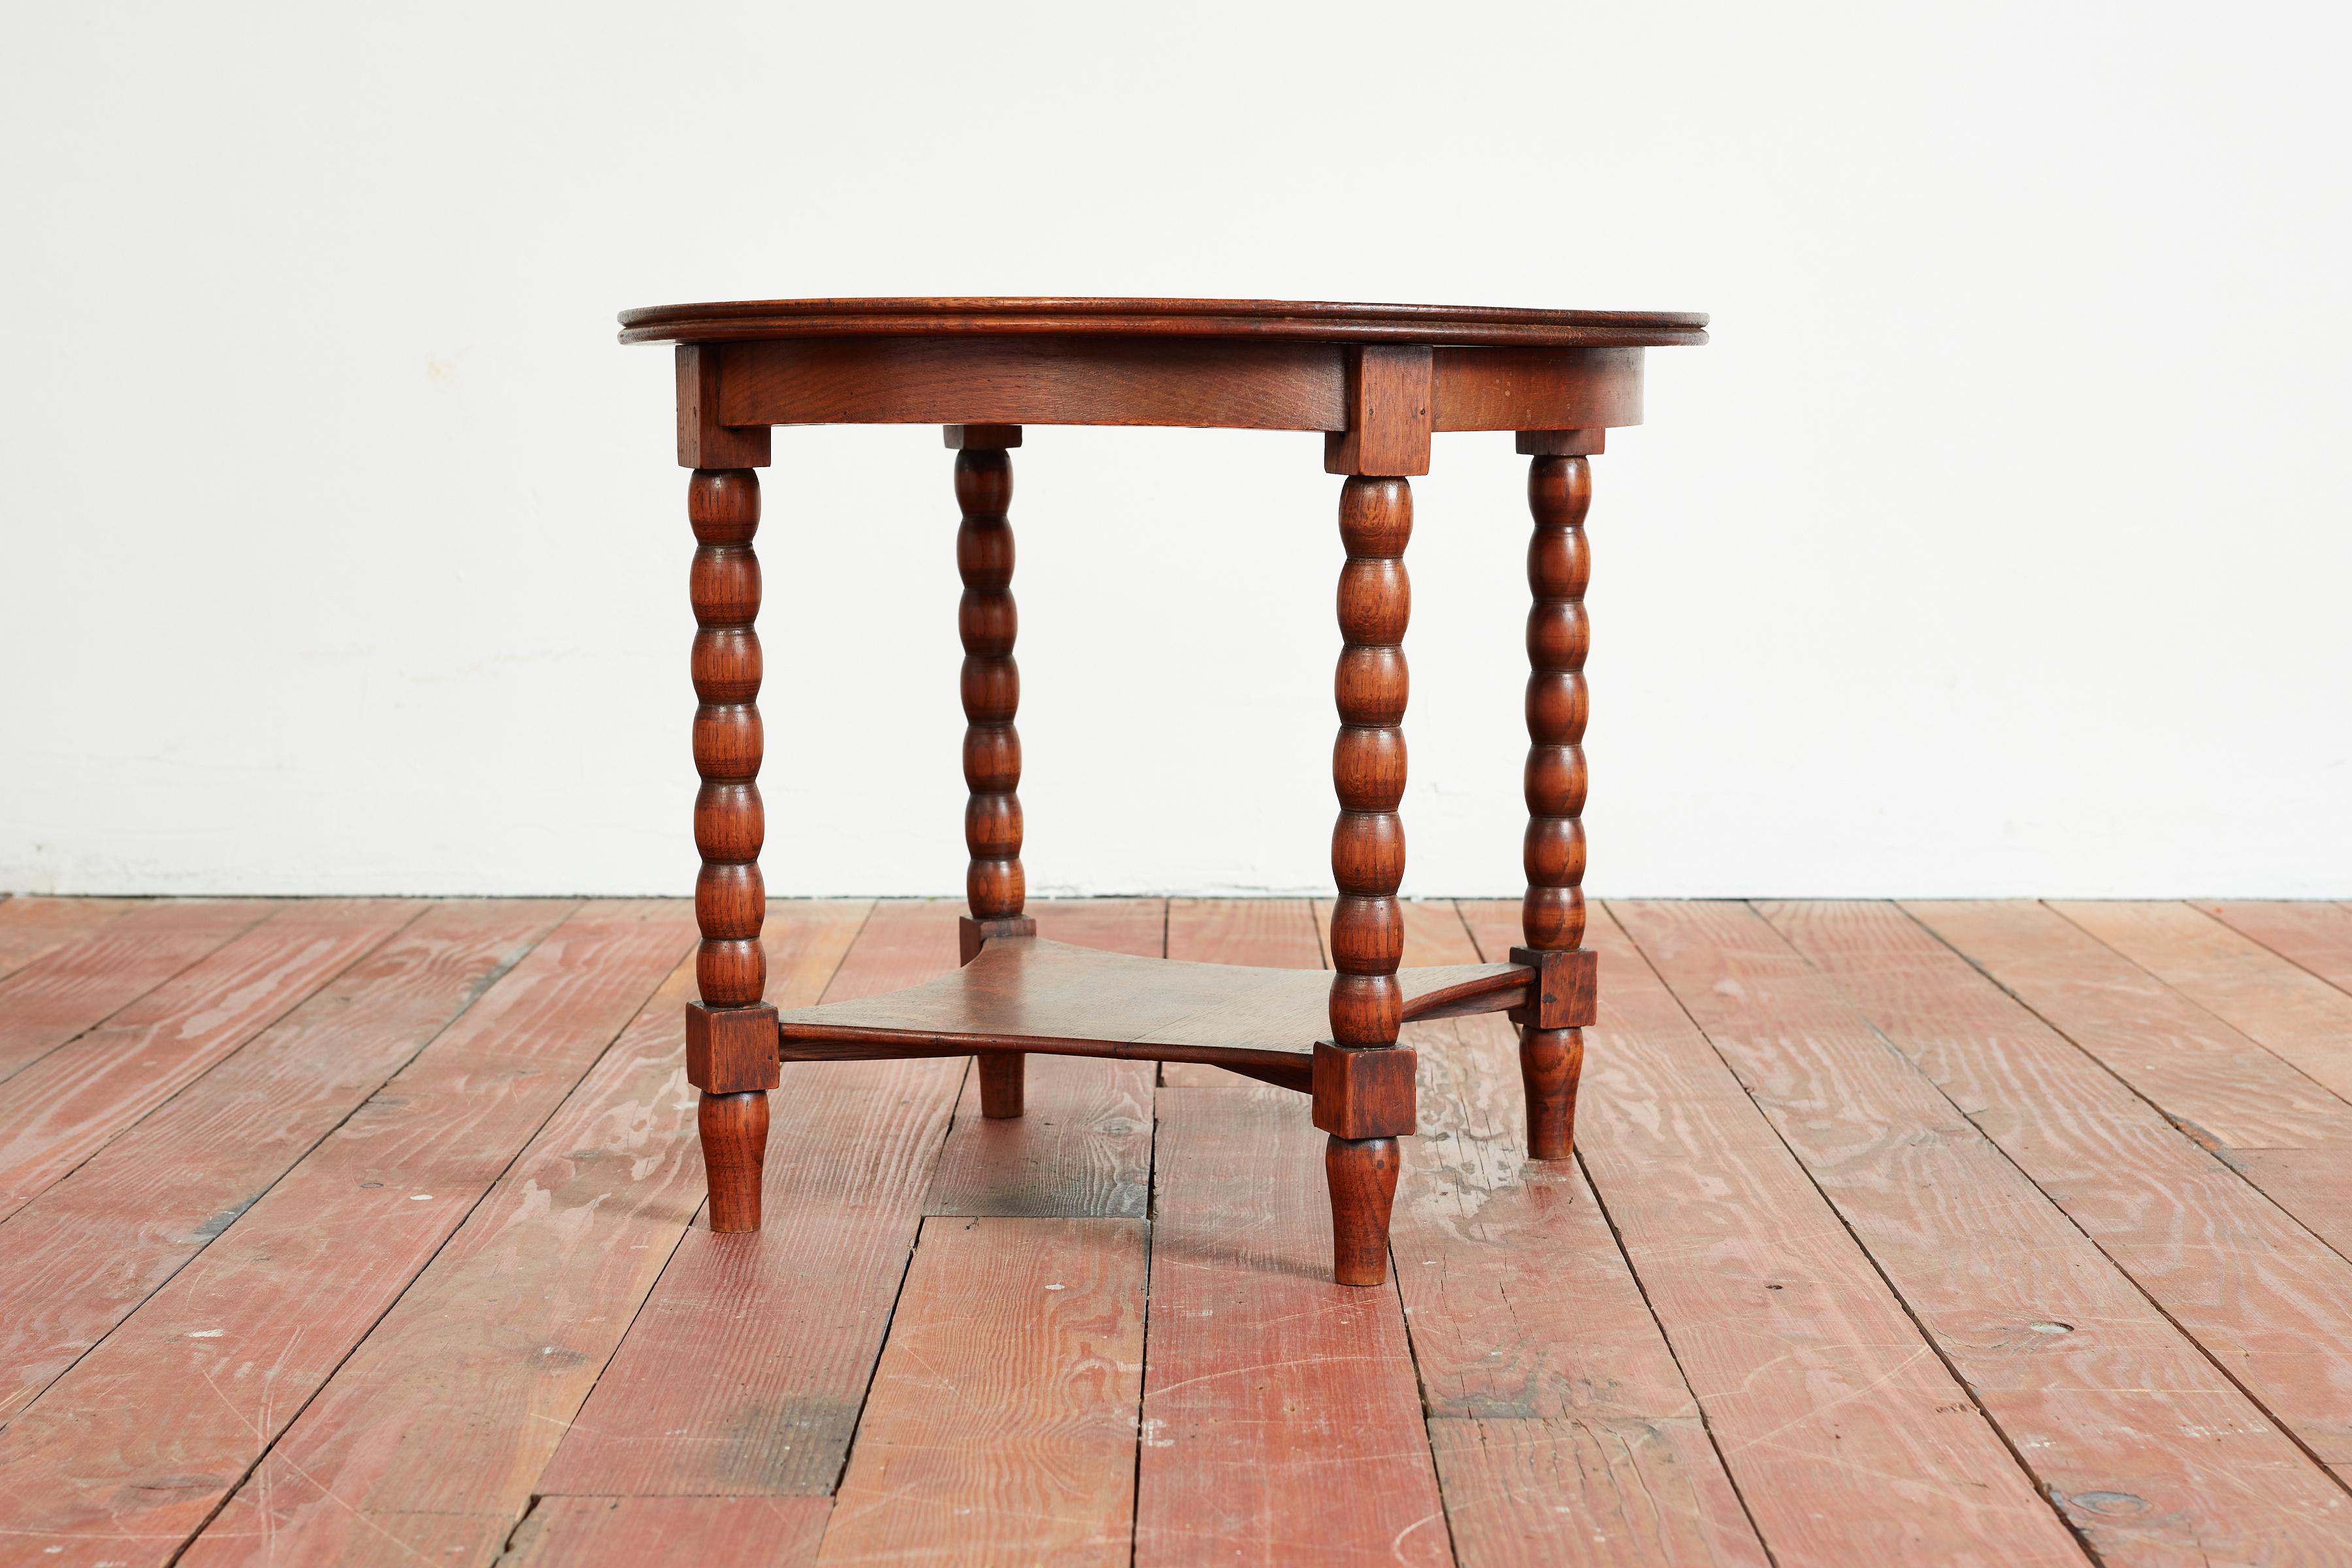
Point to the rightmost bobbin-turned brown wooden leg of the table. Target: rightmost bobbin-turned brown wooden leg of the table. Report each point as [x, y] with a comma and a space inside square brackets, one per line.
[1553, 916]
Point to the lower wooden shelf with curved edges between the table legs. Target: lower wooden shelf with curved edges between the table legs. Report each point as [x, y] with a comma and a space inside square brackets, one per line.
[1060, 1000]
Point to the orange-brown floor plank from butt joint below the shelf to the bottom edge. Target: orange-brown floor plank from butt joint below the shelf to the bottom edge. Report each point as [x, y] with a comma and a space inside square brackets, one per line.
[1003, 1419]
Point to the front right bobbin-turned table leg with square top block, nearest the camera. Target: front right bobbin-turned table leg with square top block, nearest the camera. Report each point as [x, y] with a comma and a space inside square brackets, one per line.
[1363, 1083]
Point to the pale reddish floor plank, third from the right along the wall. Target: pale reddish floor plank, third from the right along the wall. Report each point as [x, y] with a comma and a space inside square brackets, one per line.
[2271, 1123]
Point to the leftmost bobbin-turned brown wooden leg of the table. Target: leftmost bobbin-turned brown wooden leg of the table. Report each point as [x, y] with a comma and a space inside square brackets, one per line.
[730, 826]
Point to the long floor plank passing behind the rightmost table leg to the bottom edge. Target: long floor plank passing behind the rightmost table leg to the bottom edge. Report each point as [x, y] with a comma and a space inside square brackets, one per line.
[1843, 1430]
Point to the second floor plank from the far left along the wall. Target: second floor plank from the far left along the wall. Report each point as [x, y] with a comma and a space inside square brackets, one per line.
[86, 981]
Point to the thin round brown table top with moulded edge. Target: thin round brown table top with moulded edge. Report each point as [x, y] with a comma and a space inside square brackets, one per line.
[1161, 319]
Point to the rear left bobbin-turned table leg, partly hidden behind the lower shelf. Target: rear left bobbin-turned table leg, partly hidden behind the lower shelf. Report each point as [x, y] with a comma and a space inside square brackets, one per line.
[984, 554]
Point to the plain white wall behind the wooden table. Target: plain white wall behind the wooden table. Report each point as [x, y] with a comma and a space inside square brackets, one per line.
[1998, 542]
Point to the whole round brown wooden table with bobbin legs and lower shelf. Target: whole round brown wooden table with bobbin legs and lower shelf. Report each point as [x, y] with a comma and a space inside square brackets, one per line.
[1377, 382]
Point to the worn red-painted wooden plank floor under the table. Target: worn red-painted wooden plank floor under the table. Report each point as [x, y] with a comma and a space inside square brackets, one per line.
[1949, 1233]
